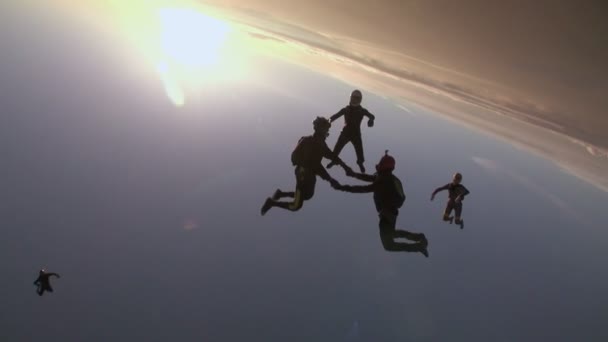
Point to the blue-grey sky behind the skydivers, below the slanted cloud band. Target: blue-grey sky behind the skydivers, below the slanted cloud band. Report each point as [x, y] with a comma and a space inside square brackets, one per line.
[147, 204]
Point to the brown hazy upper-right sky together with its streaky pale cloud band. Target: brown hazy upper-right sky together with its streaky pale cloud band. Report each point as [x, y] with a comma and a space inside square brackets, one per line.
[534, 81]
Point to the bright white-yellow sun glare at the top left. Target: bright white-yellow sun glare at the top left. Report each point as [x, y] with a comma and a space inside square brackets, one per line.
[186, 48]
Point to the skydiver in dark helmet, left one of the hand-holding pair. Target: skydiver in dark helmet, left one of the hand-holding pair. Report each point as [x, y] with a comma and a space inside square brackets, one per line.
[306, 158]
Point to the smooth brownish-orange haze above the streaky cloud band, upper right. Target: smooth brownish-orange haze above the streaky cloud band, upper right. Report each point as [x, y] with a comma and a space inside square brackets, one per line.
[544, 57]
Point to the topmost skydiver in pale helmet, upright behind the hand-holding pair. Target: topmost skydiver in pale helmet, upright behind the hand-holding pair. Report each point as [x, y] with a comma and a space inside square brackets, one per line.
[353, 115]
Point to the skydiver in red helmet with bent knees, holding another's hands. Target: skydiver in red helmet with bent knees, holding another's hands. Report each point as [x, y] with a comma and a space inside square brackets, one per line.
[388, 198]
